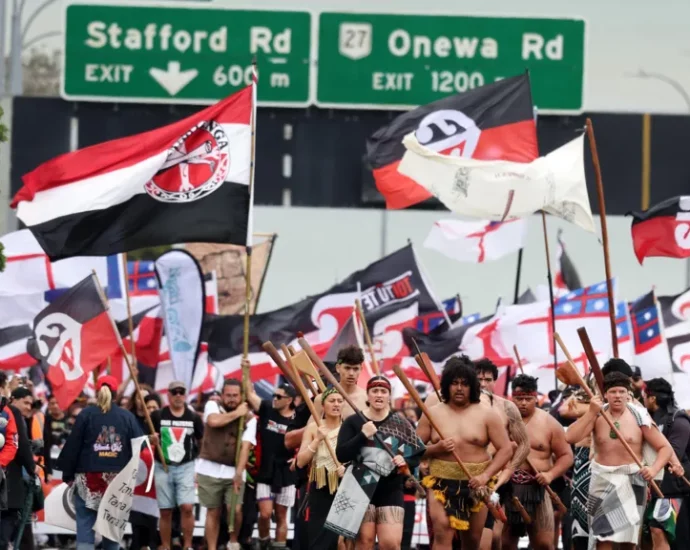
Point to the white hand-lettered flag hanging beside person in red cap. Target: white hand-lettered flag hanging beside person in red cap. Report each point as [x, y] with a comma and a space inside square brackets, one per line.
[113, 511]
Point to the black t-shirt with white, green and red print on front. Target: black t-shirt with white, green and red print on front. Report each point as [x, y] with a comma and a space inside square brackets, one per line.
[179, 435]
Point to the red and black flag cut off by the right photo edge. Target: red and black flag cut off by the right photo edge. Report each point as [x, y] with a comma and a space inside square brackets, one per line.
[663, 230]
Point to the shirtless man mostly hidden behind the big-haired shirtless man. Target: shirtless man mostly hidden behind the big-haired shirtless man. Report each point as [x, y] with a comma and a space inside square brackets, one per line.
[487, 374]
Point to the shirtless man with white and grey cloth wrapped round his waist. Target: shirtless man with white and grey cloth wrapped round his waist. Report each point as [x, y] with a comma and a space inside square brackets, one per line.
[618, 487]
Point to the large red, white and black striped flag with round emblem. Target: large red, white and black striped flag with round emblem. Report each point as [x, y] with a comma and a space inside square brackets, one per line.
[188, 181]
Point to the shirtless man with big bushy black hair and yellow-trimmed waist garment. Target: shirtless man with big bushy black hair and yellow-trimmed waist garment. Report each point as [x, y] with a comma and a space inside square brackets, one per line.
[470, 428]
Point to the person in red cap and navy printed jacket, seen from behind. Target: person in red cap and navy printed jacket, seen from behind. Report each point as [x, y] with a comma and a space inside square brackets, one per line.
[96, 450]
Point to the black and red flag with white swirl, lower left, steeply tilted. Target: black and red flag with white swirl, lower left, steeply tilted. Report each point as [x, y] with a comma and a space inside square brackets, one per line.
[73, 336]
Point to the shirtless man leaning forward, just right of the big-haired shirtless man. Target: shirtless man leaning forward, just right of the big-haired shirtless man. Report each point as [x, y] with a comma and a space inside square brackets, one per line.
[547, 440]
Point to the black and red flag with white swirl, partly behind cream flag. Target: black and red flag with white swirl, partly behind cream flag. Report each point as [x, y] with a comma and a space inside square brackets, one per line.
[493, 122]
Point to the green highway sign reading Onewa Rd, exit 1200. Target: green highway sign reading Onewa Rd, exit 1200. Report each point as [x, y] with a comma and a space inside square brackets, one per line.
[396, 61]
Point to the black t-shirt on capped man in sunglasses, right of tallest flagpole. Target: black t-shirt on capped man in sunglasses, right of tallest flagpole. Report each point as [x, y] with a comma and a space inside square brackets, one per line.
[272, 428]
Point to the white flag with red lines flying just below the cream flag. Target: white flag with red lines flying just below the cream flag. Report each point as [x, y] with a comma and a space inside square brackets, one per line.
[477, 242]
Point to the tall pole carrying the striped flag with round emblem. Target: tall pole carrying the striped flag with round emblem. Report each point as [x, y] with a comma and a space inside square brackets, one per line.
[246, 378]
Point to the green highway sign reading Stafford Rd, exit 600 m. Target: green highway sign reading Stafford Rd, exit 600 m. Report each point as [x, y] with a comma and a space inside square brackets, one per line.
[174, 54]
